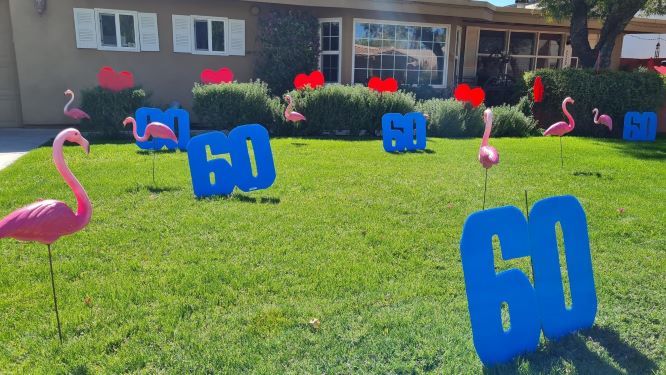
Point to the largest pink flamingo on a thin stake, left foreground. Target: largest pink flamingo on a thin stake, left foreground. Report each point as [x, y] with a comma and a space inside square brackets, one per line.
[45, 221]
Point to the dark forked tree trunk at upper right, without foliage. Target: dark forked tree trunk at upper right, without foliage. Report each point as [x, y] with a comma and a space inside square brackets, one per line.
[613, 26]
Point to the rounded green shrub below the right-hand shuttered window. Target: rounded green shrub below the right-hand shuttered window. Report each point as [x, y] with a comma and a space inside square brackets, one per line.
[227, 105]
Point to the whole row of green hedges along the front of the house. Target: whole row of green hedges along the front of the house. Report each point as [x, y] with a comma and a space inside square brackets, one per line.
[358, 109]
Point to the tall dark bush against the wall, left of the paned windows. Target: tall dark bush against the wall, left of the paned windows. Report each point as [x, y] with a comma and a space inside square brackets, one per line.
[289, 45]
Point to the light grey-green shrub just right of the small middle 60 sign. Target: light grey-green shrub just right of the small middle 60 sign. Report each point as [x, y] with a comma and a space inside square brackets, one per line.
[451, 118]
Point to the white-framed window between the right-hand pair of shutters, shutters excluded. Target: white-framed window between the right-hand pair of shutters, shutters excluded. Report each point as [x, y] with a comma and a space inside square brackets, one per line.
[209, 35]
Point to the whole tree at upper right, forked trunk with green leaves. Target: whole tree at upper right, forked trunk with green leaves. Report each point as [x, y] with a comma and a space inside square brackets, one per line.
[614, 16]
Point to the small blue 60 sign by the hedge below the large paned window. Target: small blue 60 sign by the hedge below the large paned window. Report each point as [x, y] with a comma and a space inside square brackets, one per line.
[404, 133]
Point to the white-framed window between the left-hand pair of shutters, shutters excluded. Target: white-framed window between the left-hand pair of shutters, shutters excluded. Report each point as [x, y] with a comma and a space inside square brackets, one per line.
[117, 30]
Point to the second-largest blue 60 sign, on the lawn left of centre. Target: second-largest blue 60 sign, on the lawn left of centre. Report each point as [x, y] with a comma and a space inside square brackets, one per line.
[218, 176]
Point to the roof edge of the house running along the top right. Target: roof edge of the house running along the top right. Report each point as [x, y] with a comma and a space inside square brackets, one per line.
[470, 11]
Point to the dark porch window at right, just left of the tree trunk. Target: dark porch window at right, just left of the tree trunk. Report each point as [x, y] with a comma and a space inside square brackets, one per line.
[523, 51]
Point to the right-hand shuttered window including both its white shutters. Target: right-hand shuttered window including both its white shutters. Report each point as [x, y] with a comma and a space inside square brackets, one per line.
[203, 35]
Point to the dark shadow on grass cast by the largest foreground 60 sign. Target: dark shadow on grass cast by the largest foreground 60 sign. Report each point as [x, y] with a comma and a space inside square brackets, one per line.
[574, 350]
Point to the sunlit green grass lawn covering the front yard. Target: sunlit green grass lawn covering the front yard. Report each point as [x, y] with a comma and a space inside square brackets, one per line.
[366, 242]
